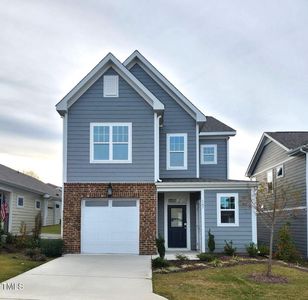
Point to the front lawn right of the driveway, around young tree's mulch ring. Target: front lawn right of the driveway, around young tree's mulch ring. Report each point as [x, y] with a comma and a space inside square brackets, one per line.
[230, 283]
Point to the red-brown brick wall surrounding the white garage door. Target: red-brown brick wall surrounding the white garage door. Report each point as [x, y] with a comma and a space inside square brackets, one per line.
[75, 192]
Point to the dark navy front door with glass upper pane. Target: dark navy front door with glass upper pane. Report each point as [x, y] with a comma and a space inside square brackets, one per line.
[177, 232]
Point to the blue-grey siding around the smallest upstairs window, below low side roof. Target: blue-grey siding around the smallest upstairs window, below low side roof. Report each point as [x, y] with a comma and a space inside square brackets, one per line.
[219, 170]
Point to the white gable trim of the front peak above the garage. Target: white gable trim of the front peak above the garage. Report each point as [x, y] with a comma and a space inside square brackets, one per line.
[108, 61]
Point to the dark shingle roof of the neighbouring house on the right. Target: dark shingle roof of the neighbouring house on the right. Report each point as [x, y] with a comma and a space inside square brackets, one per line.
[290, 139]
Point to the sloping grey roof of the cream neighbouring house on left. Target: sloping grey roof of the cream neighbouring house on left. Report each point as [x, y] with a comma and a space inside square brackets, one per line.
[17, 179]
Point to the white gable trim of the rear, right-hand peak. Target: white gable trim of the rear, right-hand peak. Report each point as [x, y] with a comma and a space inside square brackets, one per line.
[178, 96]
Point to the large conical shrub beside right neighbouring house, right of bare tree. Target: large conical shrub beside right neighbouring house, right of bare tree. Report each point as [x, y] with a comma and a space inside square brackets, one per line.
[286, 249]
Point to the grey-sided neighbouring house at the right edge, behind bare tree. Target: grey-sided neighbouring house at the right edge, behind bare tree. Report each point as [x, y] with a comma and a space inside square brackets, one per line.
[281, 157]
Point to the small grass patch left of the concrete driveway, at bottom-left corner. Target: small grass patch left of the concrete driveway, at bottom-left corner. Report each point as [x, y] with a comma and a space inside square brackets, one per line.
[14, 264]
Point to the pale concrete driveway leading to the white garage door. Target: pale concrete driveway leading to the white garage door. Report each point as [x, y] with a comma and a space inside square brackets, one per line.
[86, 277]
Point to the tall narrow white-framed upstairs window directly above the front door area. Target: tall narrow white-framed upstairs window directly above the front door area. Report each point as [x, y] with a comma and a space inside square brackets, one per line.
[177, 151]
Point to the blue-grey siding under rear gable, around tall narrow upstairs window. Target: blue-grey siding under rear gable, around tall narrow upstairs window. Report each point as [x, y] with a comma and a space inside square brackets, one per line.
[176, 120]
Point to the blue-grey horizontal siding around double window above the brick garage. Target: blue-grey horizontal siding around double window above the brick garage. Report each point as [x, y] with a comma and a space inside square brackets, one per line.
[93, 107]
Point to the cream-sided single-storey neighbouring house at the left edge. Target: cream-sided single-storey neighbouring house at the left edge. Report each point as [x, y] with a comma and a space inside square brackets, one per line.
[26, 196]
